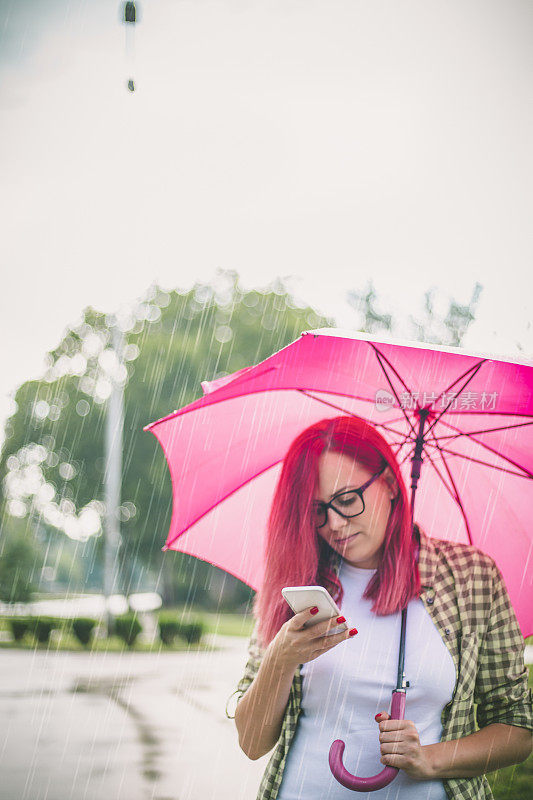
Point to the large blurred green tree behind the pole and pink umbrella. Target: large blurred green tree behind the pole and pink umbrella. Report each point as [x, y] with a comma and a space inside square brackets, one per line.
[175, 341]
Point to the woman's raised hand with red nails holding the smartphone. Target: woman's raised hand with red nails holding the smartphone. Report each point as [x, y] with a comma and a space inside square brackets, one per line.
[294, 644]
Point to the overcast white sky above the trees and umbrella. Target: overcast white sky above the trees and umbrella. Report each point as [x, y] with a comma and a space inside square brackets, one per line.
[336, 141]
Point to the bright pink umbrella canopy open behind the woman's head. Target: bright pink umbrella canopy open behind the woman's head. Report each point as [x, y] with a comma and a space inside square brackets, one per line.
[225, 450]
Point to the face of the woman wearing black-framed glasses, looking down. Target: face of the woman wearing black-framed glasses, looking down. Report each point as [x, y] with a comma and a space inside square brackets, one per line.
[358, 539]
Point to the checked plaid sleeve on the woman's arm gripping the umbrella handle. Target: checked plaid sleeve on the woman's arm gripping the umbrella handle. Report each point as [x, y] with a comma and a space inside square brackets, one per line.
[501, 689]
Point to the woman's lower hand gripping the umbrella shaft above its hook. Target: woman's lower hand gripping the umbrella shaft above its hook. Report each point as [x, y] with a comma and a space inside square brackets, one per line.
[401, 748]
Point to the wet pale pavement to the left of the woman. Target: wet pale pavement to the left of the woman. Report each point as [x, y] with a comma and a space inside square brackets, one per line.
[132, 726]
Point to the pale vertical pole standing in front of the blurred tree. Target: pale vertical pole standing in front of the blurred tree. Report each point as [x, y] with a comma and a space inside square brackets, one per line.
[113, 478]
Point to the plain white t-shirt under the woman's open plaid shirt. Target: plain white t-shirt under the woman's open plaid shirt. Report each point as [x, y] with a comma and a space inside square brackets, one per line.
[344, 688]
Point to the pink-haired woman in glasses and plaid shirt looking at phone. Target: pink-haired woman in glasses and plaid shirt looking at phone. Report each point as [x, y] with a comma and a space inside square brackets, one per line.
[302, 689]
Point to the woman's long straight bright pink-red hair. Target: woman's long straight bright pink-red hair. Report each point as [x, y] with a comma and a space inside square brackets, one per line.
[296, 555]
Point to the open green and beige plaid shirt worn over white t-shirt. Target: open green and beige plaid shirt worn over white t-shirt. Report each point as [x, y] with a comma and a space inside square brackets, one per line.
[464, 594]
